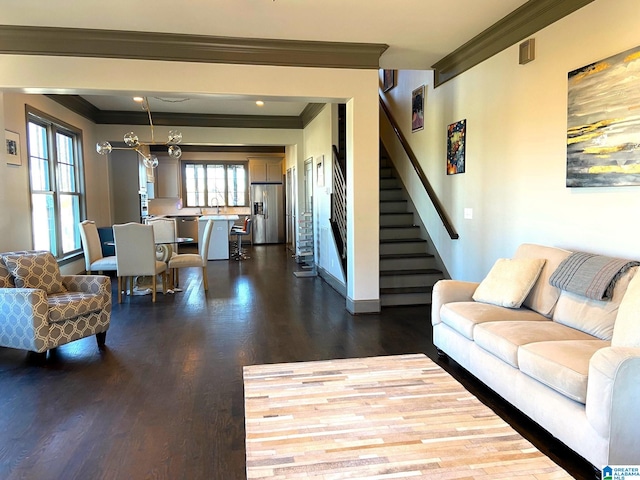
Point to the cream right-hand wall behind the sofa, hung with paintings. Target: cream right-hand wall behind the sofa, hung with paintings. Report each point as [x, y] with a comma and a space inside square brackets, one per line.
[516, 148]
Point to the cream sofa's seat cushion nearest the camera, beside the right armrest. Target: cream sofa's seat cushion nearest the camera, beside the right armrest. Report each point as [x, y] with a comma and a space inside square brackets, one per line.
[561, 365]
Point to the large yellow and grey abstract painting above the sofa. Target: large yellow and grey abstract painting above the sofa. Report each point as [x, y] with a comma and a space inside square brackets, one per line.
[603, 126]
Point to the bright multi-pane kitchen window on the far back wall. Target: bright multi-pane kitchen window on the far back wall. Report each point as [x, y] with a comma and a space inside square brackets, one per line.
[209, 184]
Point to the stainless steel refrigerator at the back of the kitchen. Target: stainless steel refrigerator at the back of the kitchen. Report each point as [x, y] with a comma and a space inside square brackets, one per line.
[267, 201]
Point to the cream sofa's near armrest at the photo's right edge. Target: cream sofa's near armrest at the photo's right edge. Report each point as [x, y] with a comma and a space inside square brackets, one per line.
[612, 401]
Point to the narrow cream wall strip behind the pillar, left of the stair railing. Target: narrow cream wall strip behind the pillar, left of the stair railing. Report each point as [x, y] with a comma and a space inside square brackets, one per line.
[318, 141]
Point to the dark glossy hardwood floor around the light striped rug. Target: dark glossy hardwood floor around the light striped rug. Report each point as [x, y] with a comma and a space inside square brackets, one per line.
[165, 400]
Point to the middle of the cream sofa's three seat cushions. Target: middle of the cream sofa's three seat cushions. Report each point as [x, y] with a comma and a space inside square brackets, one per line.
[503, 339]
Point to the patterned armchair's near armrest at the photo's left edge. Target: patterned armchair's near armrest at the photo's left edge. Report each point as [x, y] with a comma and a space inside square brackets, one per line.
[24, 315]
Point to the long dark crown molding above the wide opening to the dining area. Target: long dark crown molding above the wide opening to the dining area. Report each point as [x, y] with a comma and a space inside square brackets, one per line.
[81, 42]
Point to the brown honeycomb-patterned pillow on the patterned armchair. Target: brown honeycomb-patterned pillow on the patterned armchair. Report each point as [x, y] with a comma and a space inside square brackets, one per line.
[35, 270]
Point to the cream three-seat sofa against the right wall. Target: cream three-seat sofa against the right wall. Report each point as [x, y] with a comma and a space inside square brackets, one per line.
[570, 363]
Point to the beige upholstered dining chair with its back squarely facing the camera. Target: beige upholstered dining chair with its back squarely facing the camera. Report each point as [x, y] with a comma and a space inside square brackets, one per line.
[136, 256]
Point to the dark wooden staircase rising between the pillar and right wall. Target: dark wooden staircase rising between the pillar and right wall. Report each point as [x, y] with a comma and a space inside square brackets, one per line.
[407, 271]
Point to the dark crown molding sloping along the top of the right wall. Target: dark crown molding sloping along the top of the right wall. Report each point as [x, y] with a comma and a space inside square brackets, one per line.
[530, 18]
